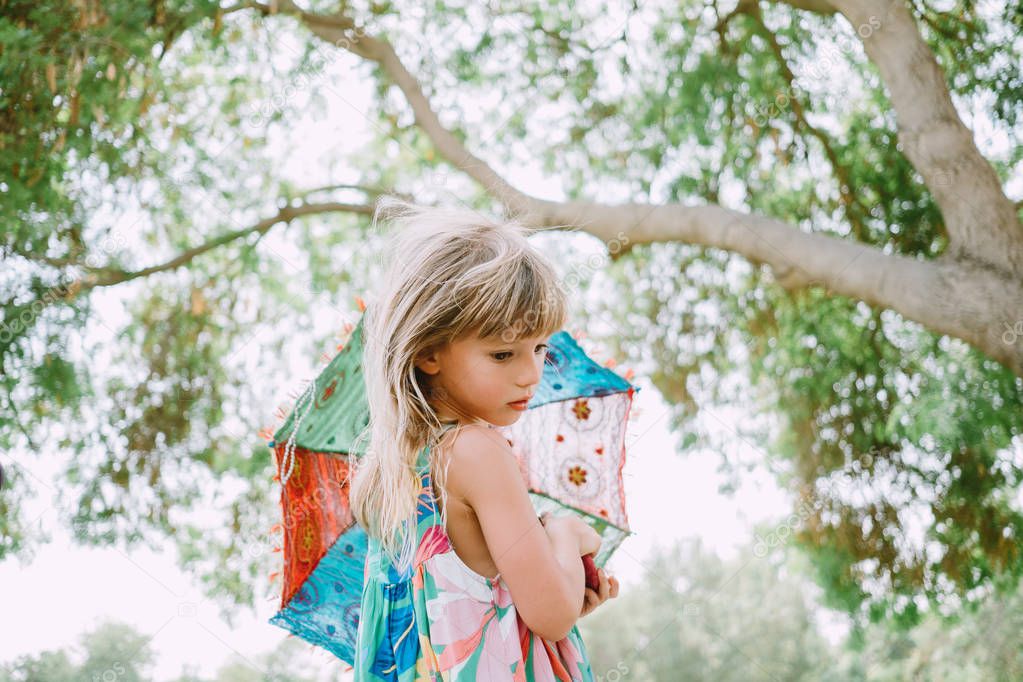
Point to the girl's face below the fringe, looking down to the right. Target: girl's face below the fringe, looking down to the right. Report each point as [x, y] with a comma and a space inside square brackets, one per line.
[481, 379]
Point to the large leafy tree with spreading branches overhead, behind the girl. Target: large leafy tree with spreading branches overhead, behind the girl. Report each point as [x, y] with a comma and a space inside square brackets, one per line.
[795, 212]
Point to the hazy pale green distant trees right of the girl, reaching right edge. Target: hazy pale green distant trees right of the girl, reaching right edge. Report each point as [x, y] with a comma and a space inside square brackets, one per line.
[696, 617]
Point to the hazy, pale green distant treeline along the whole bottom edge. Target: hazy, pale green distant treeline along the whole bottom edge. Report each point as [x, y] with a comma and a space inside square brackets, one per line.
[694, 618]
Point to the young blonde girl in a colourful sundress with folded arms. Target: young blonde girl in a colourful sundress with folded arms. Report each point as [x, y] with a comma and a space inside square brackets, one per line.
[463, 581]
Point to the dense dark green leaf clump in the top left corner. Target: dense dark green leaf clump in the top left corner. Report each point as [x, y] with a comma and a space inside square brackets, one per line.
[76, 79]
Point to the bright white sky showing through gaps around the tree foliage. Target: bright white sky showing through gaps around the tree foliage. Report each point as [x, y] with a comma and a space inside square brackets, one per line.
[66, 592]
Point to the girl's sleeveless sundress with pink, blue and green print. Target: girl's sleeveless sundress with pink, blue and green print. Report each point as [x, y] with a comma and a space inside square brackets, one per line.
[443, 621]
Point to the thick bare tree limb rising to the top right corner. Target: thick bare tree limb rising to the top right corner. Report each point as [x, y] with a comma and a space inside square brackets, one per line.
[983, 222]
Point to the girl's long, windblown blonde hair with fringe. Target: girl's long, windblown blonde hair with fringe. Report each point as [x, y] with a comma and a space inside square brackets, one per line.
[453, 274]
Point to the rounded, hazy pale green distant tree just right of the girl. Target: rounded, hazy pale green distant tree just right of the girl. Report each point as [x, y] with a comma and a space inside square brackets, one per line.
[695, 617]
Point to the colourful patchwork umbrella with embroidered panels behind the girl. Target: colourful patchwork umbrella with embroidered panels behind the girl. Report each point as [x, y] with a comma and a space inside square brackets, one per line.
[571, 450]
